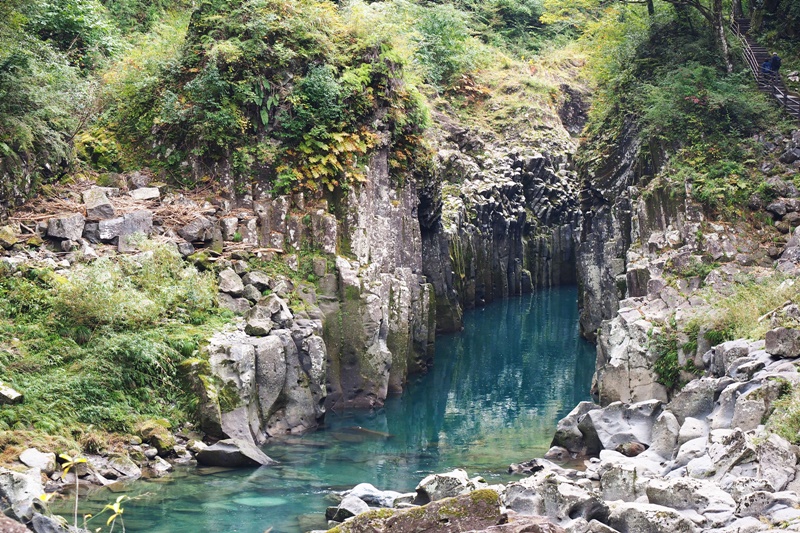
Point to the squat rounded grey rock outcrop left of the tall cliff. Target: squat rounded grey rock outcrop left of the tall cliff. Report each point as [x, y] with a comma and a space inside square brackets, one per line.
[259, 387]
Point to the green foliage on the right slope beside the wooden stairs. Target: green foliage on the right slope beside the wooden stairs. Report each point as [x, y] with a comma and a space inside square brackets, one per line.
[664, 77]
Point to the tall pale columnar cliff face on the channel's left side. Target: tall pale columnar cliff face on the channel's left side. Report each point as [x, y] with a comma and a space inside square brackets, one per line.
[379, 325]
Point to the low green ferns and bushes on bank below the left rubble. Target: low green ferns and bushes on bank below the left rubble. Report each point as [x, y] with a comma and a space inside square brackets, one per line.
[88, 350]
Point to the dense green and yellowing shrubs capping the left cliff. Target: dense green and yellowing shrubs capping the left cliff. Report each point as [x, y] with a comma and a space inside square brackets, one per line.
[298, 114]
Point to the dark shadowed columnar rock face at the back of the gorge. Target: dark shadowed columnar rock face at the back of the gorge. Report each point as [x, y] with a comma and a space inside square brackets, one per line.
[506, 223]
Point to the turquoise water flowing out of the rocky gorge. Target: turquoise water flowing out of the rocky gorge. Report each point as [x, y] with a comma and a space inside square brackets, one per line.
[492, 398]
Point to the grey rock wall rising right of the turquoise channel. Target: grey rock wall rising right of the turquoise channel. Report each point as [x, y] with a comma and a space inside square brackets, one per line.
[646, 252]
